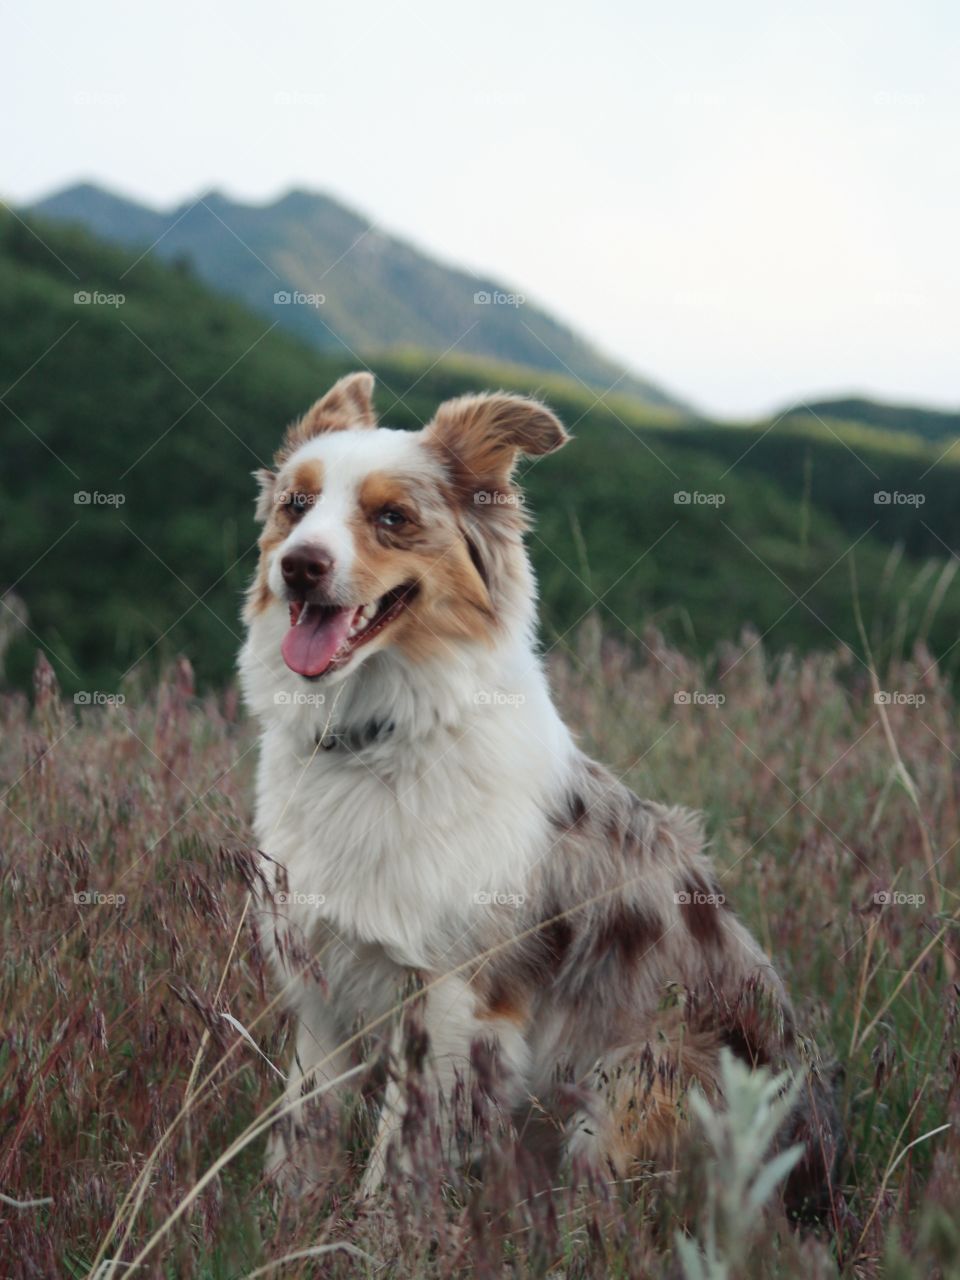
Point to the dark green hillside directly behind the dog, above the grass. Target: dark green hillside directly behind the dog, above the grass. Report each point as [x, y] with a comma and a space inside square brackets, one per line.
[159, 409]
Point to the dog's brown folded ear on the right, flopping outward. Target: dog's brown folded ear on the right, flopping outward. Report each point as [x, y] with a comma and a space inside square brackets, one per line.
[481, 437]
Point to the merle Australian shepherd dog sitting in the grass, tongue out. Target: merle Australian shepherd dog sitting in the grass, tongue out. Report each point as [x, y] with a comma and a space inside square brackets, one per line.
[426, 816]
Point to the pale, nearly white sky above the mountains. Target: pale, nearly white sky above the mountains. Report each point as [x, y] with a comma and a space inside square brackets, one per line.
[749, 203]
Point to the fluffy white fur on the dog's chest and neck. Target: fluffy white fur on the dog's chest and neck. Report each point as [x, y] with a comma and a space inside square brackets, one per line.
[401, 842]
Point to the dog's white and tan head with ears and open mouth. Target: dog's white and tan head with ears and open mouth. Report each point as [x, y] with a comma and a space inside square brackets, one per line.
[376, 538]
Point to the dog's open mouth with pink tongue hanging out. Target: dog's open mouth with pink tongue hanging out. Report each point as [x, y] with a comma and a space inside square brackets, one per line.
[324, 637]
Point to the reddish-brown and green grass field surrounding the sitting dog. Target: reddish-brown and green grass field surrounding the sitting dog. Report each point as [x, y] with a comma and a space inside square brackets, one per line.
[125, 865]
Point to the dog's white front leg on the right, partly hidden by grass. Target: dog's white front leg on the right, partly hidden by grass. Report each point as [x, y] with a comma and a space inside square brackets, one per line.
[454, 1023]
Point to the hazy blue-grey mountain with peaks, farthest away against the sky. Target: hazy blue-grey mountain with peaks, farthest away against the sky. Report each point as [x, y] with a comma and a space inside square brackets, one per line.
[380, 294]
